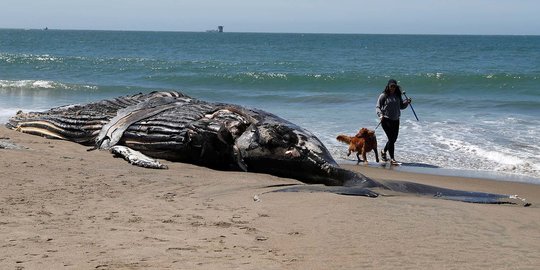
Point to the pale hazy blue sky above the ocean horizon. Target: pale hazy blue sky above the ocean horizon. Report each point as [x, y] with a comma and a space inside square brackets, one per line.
[513, 17]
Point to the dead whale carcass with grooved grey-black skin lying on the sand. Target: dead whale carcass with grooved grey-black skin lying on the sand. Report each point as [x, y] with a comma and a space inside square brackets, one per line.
[175, 127]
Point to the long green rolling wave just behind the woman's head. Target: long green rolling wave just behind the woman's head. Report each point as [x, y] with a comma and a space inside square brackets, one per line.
[267, 77]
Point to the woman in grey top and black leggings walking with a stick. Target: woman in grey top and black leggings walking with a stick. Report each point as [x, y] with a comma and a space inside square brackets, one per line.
[388, 107]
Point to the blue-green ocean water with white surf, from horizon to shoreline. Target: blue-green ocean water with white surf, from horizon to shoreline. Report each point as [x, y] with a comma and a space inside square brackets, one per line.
[477, 97]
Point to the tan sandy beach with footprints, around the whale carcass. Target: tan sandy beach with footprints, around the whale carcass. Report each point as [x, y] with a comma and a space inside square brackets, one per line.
[63, 207]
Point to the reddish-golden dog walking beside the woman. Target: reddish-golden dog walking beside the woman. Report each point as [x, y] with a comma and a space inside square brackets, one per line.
[363, 142]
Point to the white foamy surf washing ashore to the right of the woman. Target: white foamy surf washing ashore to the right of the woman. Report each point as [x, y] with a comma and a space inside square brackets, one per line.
[464, 148]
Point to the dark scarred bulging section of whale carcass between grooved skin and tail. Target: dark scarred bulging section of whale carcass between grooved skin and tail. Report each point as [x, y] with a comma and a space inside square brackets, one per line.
[278, 147]
